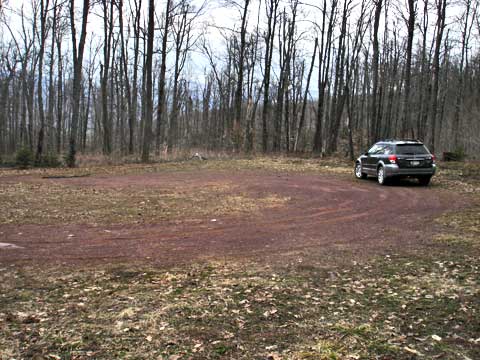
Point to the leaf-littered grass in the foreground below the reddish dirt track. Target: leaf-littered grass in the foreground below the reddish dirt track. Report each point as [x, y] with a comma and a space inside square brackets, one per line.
[390, 307]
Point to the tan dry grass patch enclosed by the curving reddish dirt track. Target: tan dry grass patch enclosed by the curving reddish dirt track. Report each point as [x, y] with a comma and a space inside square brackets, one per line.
[45, 203]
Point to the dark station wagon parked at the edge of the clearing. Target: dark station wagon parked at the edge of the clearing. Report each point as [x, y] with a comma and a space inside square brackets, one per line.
[390, 159]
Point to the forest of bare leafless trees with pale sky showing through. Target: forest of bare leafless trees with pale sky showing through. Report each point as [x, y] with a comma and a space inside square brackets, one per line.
[143, 78]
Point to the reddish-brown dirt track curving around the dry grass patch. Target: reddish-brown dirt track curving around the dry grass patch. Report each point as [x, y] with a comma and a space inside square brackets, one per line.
[325, 215]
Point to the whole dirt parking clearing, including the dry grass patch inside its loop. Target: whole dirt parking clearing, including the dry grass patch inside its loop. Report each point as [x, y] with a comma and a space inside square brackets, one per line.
[175, 217]
